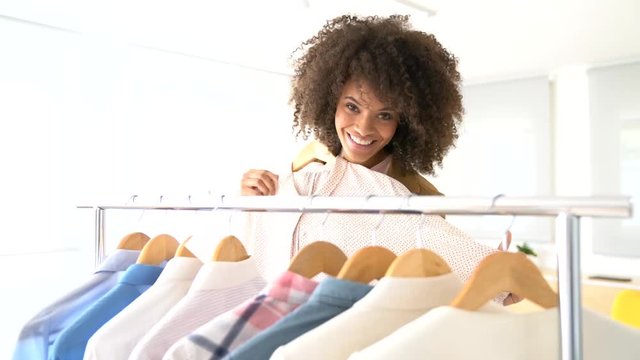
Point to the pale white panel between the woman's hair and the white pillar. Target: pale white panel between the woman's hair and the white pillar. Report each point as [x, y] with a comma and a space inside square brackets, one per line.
[504, 148]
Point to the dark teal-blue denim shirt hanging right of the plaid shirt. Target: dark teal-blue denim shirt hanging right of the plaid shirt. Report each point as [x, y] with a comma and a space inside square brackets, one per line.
[331, 297]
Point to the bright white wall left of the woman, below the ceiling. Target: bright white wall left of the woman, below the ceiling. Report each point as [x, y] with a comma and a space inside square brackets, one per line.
[85, 119]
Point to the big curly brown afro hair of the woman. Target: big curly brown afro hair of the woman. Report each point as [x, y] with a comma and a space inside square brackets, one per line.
[407, 69]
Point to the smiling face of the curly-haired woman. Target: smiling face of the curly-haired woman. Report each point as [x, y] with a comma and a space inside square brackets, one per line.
[364, 124]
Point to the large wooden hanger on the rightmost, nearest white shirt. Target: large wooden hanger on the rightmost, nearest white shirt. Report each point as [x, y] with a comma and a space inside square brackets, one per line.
[505, 272]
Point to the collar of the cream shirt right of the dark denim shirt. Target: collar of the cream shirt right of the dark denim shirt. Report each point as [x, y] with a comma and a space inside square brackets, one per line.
[412, 293]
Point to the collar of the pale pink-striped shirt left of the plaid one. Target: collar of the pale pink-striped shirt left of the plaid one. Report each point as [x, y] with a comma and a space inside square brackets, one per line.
[224, 274]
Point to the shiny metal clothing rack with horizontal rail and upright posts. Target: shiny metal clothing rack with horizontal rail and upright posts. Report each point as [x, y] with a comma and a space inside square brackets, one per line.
[566, 210]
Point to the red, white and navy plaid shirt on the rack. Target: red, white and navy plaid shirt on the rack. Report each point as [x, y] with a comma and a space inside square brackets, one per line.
[226, 332]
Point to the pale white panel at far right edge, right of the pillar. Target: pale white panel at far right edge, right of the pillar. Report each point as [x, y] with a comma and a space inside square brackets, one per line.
[615, 125]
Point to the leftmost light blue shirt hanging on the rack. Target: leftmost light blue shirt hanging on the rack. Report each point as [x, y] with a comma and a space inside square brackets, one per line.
[39, 333]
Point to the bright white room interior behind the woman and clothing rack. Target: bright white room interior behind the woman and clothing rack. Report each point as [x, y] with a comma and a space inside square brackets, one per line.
[100, 101]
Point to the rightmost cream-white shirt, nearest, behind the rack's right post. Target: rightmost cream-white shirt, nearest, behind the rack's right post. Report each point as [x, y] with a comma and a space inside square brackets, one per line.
[450, 333]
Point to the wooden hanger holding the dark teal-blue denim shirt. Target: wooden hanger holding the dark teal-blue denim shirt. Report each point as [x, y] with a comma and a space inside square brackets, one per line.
[367, 264]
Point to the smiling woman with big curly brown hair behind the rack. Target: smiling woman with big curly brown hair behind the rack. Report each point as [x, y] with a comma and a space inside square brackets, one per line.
[378, 94]
